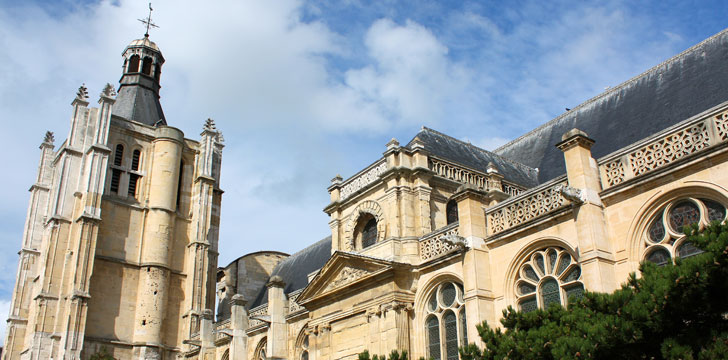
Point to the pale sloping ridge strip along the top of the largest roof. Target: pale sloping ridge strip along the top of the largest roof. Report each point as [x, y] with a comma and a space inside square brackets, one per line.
[614, 89]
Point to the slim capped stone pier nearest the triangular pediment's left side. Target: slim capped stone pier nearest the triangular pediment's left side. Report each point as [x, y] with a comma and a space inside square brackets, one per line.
[277, 332]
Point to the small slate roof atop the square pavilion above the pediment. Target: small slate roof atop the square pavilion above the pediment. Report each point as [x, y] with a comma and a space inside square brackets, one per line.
[449, 148]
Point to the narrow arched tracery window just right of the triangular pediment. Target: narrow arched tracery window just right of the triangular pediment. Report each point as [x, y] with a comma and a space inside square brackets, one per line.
[445, 321]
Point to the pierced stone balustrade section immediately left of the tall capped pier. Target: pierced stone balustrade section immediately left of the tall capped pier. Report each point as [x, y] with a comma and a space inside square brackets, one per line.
[533, 204]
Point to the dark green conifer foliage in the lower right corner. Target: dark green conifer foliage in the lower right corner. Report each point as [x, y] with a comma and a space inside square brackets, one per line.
[671, 312]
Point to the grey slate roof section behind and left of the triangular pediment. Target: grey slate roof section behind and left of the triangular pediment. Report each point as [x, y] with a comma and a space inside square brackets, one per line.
[295, 269]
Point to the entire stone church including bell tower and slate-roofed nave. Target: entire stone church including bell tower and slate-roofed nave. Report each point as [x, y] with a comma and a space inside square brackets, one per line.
[119, 252]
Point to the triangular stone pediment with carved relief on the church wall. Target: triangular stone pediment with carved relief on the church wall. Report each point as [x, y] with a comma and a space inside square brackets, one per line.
[343, 270]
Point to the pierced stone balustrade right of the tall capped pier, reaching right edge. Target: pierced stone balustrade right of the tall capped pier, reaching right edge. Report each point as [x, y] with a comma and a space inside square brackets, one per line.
[660, 152]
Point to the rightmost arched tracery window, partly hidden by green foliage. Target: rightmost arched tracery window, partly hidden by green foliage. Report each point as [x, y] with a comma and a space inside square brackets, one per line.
[664, 239]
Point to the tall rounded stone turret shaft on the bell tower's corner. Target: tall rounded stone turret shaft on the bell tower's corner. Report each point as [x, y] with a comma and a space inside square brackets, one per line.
[158, 241]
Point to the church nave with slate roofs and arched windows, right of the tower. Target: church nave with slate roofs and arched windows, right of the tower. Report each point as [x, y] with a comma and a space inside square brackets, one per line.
[438, 235]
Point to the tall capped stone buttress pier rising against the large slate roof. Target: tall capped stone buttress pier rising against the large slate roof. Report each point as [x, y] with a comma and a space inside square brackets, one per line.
[595, 252]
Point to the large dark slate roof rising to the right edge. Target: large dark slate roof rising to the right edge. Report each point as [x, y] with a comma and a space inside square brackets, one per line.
[683, 86]
